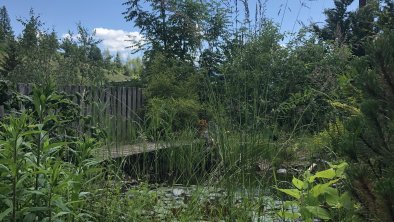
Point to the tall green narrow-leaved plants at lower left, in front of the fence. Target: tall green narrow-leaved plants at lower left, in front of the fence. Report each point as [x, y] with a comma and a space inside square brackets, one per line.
[36, 182]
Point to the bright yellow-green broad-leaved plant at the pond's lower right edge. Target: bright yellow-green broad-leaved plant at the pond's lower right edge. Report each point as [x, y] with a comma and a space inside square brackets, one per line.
[316, 197]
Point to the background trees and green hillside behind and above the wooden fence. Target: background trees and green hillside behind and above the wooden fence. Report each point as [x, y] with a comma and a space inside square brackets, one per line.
[37, 56]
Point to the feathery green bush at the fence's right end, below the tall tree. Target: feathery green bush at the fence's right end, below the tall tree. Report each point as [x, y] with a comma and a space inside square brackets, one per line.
[172, 95]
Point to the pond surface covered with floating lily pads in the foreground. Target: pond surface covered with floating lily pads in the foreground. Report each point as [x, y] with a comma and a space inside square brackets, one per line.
[206, 203]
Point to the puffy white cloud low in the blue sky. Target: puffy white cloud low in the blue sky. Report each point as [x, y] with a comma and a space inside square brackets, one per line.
[118, 40]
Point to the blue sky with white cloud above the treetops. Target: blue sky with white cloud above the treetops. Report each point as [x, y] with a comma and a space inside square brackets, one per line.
[105, 16]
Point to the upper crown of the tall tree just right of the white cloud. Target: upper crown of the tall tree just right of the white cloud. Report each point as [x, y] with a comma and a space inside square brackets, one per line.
[170, 27]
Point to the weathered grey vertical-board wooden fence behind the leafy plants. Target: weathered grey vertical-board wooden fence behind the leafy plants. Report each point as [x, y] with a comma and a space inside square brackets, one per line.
[114, 109]
